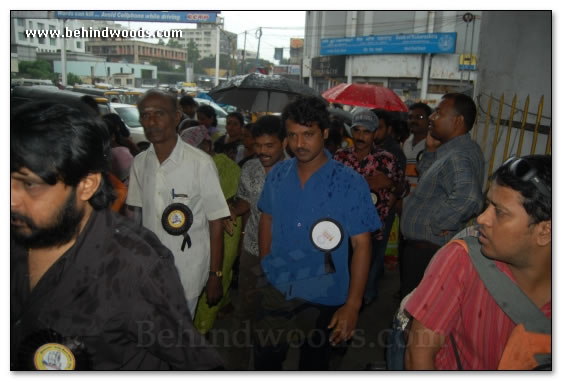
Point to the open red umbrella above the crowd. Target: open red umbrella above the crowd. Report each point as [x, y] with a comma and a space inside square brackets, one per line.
[370, 96]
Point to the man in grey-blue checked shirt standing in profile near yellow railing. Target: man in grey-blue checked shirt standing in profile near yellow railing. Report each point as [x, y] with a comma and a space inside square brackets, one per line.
[448, 194]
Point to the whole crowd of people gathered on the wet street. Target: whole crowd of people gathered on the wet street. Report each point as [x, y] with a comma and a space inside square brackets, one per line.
[124, 259]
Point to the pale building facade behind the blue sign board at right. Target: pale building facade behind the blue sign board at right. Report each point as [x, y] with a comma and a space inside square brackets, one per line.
[402, 72]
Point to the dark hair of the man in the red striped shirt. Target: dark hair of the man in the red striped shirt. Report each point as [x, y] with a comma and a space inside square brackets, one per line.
[537, 205]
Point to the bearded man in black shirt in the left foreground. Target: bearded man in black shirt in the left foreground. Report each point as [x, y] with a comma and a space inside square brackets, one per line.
[89, 289]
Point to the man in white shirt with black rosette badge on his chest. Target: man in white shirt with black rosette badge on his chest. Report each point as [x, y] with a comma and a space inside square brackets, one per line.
[171, 172]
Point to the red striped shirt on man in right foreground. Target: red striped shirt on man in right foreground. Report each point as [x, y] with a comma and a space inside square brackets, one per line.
[451, 298]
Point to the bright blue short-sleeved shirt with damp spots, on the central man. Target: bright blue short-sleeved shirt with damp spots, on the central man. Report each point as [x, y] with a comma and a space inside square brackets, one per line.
[294, 266]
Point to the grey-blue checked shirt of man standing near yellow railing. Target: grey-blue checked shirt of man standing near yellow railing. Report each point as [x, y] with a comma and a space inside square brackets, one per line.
[448, 192]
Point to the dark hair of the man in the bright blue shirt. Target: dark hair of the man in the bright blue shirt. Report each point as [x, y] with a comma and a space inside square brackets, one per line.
[305, 111]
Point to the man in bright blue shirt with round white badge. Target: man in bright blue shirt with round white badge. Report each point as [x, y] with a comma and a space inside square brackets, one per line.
[311, 207]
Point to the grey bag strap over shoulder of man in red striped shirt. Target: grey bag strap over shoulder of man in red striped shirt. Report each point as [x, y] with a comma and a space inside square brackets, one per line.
[511, 299]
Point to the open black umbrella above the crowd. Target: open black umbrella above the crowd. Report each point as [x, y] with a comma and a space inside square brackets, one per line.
[258, 92]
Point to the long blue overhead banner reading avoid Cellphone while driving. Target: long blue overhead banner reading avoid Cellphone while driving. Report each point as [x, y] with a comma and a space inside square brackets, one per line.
[146, 16]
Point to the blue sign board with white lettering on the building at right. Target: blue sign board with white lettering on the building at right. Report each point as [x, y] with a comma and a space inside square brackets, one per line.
[414, 43]
